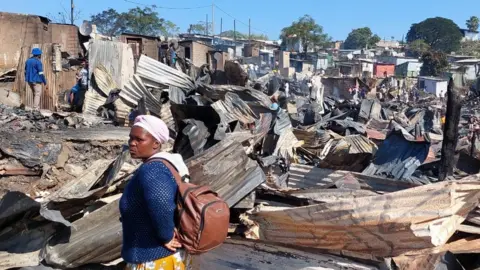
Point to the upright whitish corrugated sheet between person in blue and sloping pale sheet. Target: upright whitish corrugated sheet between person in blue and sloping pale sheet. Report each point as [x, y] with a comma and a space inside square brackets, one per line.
[116, 57]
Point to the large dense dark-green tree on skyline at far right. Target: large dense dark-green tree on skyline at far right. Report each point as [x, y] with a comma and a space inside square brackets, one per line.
[439, 33]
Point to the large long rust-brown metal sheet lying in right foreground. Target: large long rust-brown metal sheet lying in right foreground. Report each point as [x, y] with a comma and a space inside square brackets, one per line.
[384, 225]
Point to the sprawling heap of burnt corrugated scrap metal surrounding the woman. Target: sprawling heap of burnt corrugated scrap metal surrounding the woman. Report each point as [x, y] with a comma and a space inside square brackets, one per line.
[313, 179]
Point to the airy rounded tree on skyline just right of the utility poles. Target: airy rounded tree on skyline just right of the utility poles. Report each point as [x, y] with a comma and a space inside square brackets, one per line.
[307, 31]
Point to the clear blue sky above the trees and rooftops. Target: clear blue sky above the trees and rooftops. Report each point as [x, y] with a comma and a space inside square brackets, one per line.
[386, 18]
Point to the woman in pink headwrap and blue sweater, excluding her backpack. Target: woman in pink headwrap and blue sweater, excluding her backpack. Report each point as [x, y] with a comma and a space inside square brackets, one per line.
[148, 204]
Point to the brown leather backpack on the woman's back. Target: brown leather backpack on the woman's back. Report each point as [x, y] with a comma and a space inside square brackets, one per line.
[203, 217]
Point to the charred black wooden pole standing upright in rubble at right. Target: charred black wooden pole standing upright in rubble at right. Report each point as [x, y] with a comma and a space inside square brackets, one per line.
[450, 133]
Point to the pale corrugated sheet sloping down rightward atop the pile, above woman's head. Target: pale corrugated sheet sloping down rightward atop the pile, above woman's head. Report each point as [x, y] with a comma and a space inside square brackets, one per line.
[158, 72]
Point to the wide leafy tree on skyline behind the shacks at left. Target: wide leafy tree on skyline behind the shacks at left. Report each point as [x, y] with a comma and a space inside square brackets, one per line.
[142, 21]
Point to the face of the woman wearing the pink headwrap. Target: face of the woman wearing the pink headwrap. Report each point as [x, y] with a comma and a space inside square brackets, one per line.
[142, 144]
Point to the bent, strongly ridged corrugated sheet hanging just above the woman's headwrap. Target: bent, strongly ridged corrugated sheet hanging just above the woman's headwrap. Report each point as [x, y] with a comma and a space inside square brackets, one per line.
[135, 90]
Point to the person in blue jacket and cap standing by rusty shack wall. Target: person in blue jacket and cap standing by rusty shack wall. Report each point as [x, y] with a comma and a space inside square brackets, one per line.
[34, 76]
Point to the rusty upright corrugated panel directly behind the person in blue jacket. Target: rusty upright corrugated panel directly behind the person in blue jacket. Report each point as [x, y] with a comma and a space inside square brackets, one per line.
[49, 97]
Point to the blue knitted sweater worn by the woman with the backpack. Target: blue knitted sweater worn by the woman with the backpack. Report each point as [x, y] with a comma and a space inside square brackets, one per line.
[147, 210]
